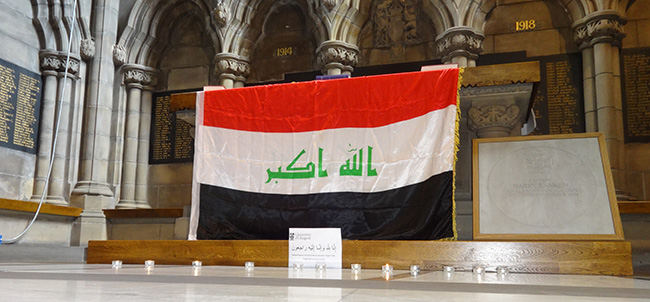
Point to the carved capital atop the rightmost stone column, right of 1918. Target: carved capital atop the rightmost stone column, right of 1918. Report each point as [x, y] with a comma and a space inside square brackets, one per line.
[602, 27]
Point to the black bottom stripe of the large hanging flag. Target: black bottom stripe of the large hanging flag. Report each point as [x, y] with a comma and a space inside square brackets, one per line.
[422, 211]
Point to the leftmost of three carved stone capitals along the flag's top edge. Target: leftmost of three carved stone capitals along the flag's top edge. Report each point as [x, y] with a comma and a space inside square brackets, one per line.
[231, 69]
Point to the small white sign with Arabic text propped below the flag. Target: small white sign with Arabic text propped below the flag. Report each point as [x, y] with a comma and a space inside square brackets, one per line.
[315, 246]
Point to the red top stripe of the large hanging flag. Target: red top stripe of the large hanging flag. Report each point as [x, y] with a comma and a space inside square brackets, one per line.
[362, 102]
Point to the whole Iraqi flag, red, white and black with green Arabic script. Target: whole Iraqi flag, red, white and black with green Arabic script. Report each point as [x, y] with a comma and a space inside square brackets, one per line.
[373, 156]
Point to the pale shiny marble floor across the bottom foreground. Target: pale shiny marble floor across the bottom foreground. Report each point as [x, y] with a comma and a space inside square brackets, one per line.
[96, 282]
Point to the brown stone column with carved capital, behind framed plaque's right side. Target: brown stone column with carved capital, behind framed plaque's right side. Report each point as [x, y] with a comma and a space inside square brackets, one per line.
[599, 36]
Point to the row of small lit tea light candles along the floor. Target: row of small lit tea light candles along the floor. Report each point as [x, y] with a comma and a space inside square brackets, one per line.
[355, 267]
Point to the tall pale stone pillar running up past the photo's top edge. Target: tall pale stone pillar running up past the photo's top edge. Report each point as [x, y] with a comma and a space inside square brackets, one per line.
[92, 192]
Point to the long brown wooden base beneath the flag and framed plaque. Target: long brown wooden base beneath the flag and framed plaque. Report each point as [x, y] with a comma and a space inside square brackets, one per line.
[563, 257]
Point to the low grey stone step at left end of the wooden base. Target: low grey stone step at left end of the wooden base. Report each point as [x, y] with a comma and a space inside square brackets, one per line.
[42, 253]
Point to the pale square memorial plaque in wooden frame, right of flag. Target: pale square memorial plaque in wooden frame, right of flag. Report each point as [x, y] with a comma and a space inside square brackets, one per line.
[546, 187]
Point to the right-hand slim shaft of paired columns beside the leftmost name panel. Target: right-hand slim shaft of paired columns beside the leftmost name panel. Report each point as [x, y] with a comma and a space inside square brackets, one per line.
[57, 189]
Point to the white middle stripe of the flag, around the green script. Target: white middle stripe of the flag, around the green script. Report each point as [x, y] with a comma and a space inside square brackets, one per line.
[403, 153]
